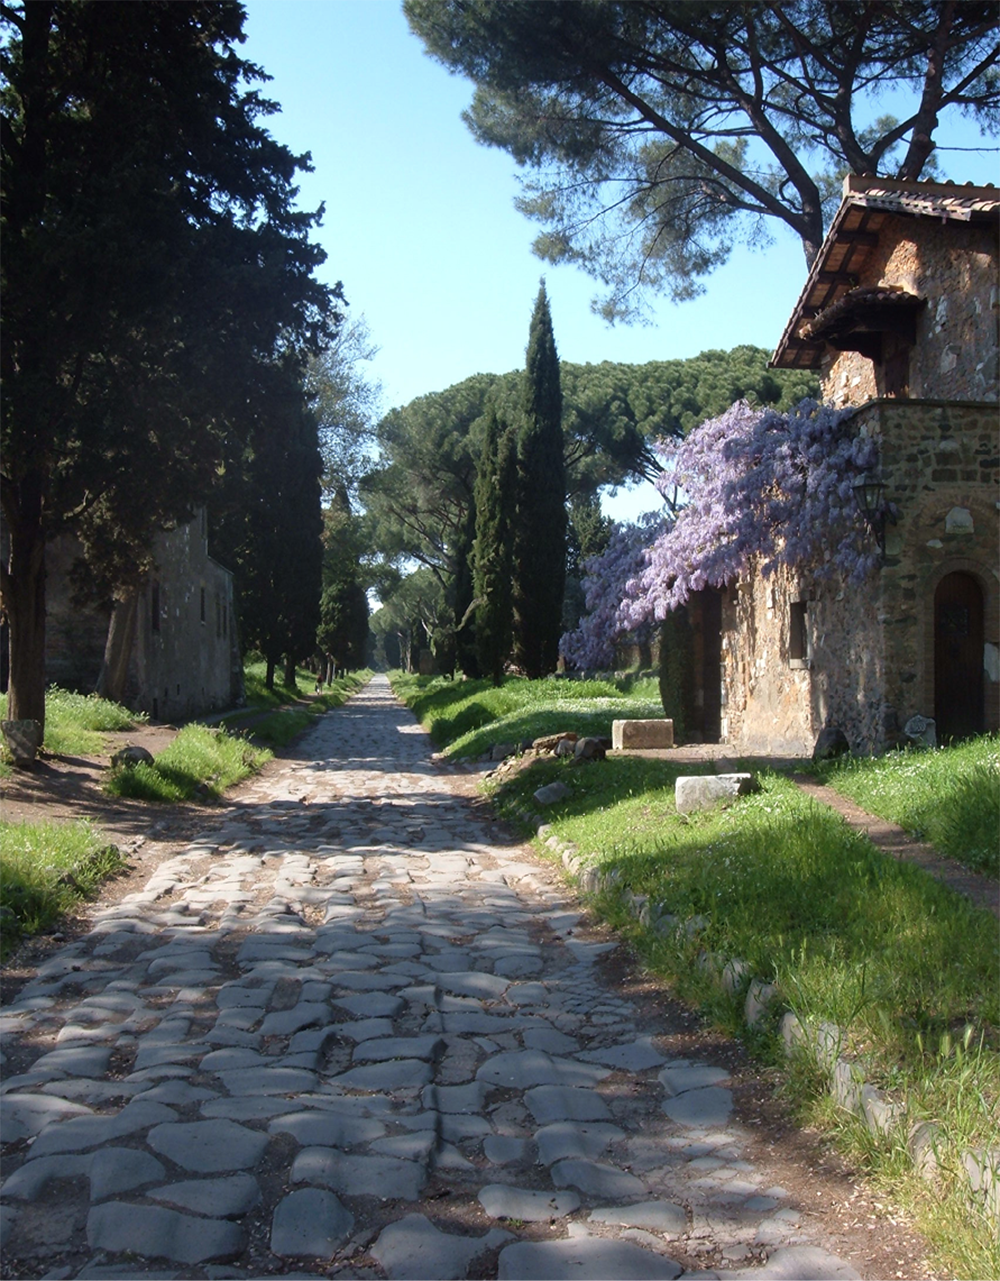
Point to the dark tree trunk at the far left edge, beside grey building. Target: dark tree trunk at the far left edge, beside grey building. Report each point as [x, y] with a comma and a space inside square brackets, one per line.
[25, 605]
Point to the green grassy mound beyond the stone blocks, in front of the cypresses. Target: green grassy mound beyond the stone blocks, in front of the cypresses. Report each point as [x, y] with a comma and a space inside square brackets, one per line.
[467, 718]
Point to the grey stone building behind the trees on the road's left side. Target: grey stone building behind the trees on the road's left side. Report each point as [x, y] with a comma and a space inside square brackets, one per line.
[181, 653]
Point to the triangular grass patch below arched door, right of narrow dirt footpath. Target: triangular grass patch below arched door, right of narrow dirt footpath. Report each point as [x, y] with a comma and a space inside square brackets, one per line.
[949, 796]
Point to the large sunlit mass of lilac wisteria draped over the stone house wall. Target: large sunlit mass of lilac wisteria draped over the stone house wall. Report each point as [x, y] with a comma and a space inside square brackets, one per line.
[775, 489]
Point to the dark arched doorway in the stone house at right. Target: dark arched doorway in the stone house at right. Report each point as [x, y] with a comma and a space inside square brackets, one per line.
[958, 648]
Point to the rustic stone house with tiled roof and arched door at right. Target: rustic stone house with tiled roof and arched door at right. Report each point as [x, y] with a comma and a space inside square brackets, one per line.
[899, 314]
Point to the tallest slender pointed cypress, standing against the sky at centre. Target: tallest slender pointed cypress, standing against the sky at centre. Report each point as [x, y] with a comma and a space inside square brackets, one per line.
[540, 554]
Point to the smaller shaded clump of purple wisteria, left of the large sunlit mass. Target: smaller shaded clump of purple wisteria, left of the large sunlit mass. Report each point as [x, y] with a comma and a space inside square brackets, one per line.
[593, 642]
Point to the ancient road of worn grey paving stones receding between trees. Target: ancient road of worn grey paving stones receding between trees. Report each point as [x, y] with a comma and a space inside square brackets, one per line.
[346, 1034]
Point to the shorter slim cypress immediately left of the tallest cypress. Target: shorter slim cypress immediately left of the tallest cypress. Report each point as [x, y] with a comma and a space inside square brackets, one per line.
[496, 502]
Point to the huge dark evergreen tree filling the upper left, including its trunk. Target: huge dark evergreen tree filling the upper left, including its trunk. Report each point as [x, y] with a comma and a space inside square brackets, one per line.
[150, 259]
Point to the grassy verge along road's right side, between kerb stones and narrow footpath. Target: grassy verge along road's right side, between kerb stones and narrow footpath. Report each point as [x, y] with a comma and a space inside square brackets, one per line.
[907, 968]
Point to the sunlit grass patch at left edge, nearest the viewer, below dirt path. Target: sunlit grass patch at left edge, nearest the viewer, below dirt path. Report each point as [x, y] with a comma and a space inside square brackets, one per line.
[45, 870]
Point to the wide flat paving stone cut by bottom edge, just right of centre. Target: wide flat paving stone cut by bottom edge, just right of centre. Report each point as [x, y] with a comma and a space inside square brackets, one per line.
[591, 1259]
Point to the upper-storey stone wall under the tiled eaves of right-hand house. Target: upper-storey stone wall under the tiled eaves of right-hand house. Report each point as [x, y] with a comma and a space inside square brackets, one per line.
[955, 267]
